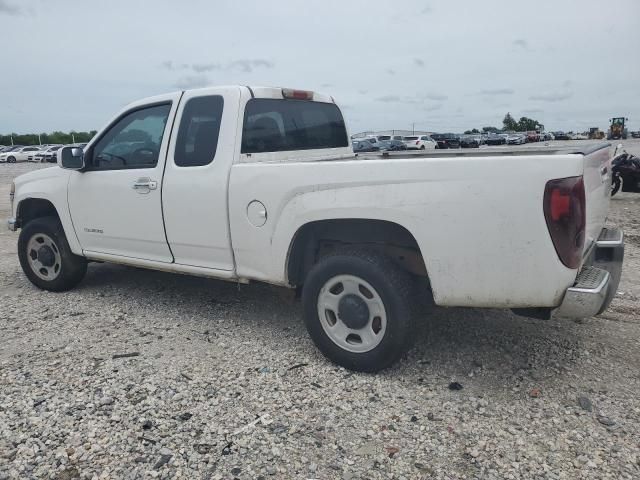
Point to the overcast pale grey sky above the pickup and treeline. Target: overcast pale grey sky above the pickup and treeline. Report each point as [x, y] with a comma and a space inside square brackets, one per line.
[445, 65]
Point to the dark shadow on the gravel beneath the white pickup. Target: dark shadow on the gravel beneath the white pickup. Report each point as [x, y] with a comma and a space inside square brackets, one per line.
[449, 342]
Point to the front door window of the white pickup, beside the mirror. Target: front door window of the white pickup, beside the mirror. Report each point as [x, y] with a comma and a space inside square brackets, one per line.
[133, 141]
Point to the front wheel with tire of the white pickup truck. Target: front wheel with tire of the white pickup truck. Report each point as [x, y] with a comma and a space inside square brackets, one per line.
[46, 258]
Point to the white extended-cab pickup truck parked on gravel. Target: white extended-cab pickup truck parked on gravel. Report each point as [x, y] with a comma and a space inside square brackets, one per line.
[243, 184]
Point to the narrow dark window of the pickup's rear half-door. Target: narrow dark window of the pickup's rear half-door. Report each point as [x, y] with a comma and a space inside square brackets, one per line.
[198, 133]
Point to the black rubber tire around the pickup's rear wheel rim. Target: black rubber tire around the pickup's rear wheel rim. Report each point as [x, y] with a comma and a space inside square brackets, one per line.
[393, 285]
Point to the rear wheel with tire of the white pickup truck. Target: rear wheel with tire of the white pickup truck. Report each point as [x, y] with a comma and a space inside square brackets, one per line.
[357, 309]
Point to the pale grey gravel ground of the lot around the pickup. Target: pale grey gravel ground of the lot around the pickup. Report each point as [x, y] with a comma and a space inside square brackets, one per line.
[223, 382]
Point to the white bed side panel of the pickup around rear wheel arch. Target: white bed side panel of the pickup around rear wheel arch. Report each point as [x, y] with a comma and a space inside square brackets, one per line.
[478, 220]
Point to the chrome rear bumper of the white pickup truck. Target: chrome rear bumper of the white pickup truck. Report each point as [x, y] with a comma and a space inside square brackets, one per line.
[597, 282]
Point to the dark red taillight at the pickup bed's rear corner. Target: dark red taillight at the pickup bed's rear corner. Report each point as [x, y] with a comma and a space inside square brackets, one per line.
[565, 213]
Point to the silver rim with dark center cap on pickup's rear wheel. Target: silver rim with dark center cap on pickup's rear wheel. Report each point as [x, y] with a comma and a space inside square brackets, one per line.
[352, 313]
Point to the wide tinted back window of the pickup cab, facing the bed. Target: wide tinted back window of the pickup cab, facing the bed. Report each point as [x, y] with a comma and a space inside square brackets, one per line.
[273, 125]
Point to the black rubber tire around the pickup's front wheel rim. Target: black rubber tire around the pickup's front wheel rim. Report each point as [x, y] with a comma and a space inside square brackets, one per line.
[72, 268]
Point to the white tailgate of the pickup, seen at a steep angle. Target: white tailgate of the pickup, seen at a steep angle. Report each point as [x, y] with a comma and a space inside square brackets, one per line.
[597, 187]
